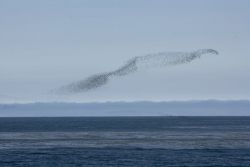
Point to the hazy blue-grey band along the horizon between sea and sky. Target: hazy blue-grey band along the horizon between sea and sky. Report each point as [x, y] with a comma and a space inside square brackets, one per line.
[117, 109]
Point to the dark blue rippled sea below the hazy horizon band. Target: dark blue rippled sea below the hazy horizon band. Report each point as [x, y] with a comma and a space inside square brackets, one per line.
[125, 141]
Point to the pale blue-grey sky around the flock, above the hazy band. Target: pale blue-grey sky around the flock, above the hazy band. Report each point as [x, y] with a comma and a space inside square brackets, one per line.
[47, 44]
